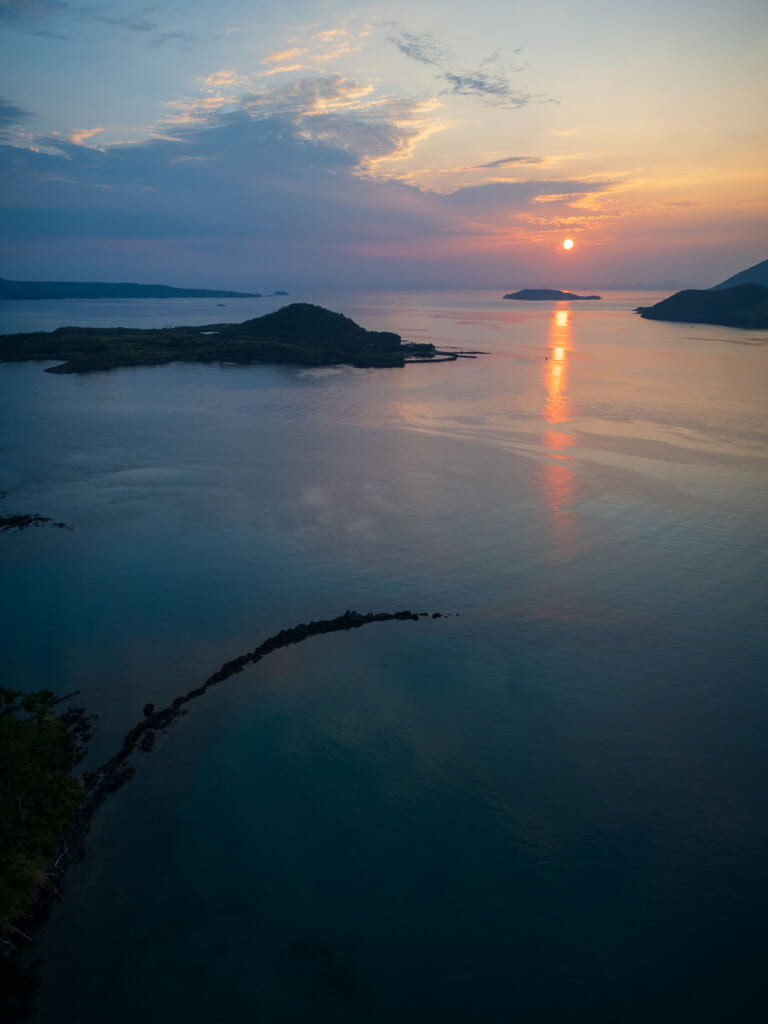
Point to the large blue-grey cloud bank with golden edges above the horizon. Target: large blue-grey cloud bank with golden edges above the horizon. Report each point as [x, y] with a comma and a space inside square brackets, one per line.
[284, 183]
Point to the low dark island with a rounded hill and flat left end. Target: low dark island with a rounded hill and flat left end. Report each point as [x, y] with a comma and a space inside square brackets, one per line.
[300, 334]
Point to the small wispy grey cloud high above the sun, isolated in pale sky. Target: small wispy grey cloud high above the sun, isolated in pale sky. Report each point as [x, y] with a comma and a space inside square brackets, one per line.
[491, 80]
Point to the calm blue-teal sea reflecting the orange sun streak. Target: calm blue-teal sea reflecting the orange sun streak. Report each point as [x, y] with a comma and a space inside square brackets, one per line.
[550, 805]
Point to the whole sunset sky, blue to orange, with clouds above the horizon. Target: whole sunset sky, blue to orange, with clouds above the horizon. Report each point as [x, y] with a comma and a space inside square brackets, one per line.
[443, 145]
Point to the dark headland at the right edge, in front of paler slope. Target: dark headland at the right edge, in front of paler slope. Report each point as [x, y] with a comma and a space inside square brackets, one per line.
[745, 307]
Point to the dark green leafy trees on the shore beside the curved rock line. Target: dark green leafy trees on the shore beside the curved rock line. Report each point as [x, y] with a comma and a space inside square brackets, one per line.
[38, 794]
